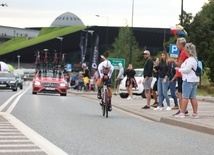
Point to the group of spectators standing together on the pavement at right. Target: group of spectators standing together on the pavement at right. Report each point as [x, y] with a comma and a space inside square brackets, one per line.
[168, 71]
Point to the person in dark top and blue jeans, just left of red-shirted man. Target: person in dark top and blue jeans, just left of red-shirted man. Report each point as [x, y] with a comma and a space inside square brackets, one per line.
[172, 85]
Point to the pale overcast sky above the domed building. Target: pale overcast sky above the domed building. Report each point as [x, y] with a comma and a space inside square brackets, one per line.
[146, 13]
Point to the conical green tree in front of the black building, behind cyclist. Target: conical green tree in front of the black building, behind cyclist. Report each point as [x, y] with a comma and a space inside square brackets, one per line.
[121, 48]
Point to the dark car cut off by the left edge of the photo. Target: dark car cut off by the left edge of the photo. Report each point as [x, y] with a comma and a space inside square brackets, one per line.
[8, 81]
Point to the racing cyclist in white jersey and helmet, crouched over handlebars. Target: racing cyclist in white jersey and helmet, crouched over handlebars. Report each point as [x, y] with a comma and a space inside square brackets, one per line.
[105, 70]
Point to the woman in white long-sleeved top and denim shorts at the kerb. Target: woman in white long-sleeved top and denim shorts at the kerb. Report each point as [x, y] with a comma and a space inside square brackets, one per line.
[190, 81]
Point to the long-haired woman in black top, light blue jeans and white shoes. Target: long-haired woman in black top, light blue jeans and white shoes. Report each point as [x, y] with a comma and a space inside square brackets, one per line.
[163, 80]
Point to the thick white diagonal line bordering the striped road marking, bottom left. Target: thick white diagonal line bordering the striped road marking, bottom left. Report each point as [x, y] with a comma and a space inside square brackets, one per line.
[37, 139]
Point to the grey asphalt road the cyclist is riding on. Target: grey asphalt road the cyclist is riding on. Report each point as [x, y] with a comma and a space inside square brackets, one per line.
[75, 126]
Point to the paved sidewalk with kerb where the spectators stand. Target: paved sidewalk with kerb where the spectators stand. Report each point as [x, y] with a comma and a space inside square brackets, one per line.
[205, 110]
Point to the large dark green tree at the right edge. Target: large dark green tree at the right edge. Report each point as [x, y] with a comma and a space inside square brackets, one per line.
[201, 32]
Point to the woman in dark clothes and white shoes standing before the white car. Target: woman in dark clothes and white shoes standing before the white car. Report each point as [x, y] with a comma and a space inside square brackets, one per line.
[130, 81]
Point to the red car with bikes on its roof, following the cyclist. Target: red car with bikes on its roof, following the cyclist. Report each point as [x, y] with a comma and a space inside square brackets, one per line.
[49, 81]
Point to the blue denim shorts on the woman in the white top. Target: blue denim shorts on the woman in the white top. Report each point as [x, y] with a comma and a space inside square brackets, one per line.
[189, 89]
